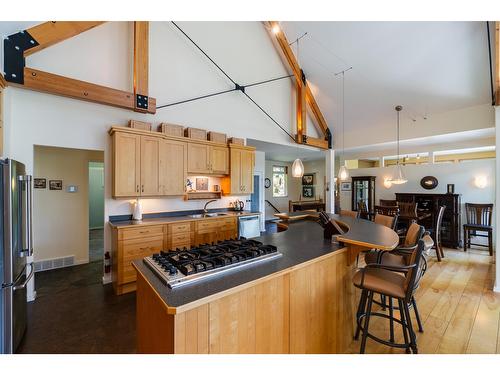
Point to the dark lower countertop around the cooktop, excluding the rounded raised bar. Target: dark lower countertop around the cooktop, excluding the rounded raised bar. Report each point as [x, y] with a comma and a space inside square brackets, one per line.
[303, 241]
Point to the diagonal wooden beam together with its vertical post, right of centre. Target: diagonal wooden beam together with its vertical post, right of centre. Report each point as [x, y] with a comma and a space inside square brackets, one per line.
[288, 55]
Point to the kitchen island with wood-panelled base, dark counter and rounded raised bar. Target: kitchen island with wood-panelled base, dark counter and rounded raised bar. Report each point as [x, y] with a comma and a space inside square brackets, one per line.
[302, 302]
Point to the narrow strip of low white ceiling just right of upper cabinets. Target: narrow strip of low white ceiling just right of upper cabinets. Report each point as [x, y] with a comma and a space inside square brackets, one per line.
[286, 153]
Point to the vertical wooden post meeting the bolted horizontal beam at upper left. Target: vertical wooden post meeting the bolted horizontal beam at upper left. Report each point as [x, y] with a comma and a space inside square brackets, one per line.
[141, 59]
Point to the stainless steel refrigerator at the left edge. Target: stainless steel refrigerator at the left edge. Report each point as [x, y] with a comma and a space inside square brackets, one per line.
[16, 245]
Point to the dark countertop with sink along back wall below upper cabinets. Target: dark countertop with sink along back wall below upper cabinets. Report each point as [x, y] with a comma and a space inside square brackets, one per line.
[172, 218]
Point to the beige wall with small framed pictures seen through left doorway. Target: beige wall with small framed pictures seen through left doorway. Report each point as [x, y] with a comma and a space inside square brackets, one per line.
[61, 219]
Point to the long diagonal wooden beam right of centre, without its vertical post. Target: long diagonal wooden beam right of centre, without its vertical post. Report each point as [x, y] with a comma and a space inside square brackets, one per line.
[292, 62]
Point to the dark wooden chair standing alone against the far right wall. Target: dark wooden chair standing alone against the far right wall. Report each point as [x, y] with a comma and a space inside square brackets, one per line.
[478, 220]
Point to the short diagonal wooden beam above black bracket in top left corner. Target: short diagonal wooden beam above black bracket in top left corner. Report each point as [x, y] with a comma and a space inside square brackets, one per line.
[50, 33]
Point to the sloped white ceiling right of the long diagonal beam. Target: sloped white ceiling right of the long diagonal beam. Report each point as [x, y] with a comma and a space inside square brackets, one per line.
[428, 67]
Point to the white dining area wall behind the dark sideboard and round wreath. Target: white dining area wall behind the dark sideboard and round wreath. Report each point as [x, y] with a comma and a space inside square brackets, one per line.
[461, 174]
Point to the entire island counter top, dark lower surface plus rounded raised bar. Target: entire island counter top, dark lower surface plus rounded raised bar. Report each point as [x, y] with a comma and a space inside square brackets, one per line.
[302, 242]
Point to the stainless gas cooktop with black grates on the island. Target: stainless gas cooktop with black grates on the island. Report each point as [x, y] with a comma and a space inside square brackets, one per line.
[182, 267]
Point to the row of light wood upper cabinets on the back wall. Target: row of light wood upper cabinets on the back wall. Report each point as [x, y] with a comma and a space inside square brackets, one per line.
[149, 164]
